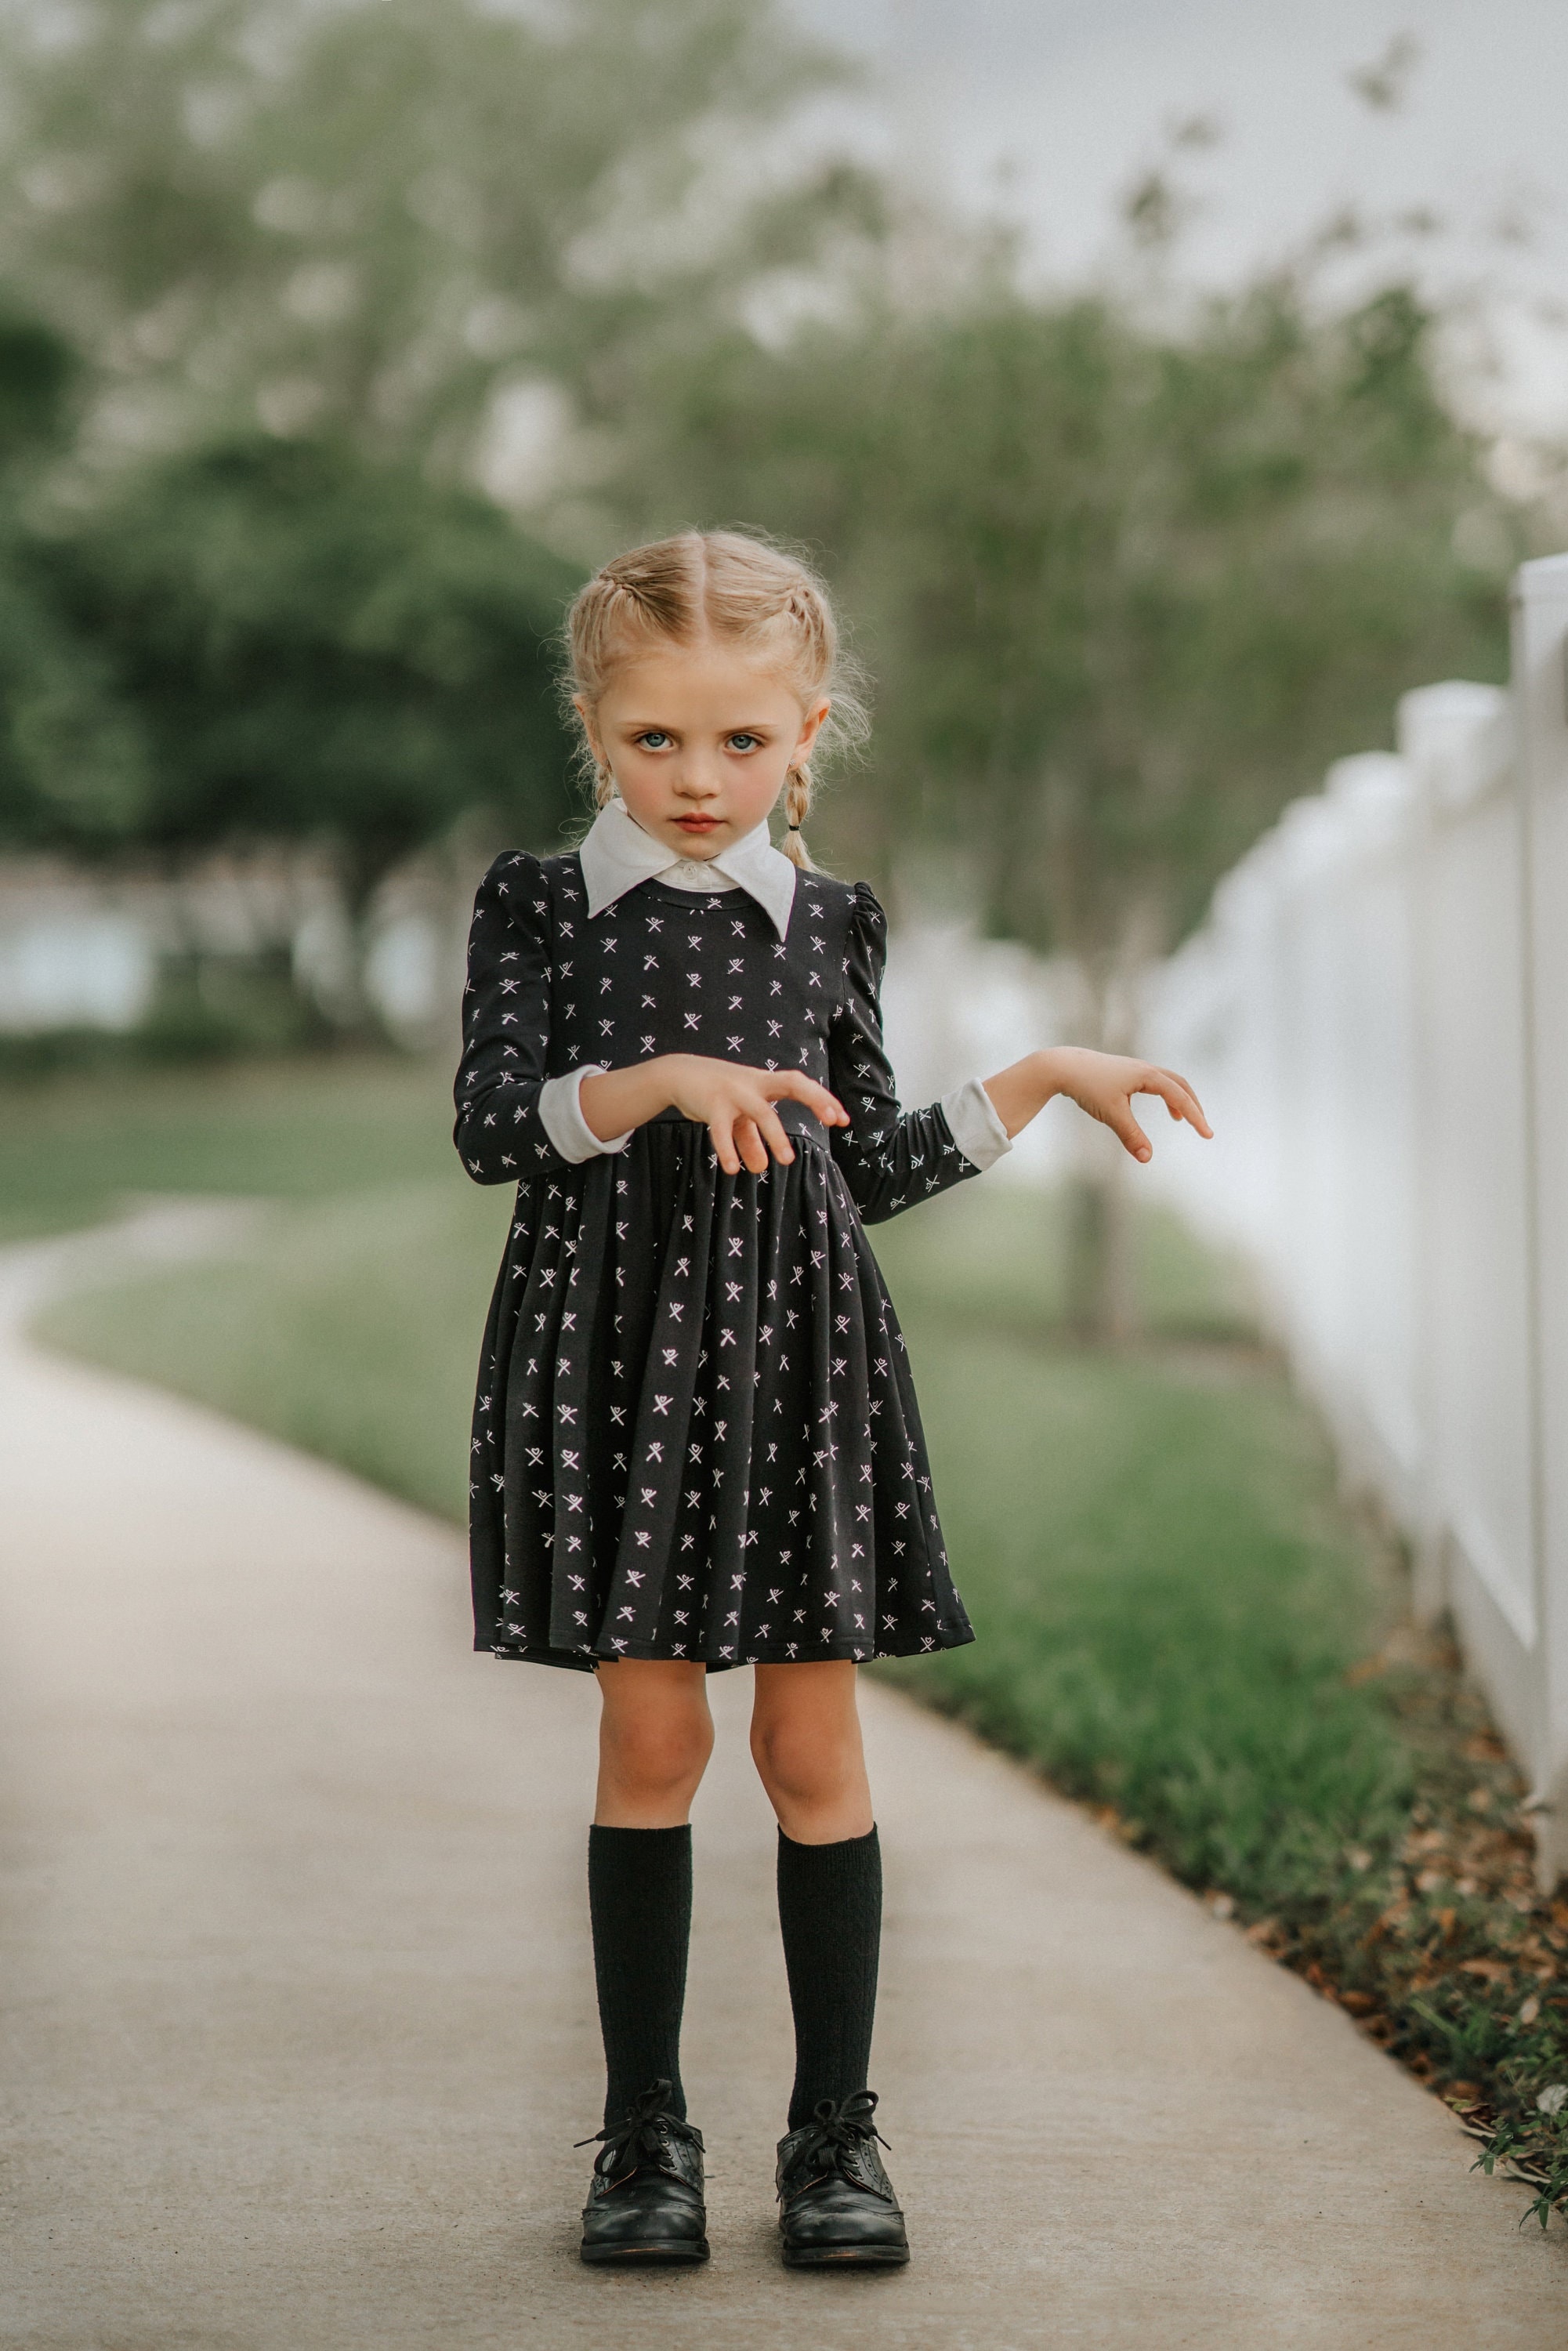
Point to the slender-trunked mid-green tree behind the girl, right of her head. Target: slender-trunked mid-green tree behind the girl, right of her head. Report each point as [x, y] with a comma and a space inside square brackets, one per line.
[1125, 589]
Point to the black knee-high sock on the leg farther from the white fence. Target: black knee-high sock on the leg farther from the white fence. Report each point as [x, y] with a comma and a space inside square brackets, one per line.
[641, 1908]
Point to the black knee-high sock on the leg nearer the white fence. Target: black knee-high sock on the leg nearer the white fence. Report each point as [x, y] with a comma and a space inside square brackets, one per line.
[831, 1917]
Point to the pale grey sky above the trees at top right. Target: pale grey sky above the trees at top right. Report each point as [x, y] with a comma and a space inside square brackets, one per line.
[1050, 109]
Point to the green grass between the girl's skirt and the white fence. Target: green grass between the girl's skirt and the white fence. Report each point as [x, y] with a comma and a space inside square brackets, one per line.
[1165, 1602]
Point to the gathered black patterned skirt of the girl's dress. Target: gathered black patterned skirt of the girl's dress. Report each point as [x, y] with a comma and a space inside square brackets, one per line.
[697, 1431]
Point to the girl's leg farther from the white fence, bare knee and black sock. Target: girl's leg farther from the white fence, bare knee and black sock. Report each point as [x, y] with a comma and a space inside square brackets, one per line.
[655, 1746]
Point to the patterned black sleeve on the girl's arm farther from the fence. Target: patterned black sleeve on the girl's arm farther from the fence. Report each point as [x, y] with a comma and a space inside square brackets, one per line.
[507, 1029]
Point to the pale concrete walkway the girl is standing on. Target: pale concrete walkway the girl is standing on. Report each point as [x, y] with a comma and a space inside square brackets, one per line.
[300, 2025]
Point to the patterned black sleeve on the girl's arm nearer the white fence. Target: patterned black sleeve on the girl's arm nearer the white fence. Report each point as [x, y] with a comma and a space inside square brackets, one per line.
[890, 1158]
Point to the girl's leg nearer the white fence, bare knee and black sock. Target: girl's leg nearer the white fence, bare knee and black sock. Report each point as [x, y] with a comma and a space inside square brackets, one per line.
[808, 1750]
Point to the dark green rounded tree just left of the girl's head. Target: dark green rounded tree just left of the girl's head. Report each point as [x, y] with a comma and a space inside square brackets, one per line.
[326, 650]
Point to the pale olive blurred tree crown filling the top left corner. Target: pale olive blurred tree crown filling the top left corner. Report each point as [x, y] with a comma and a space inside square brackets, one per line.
[368, 217]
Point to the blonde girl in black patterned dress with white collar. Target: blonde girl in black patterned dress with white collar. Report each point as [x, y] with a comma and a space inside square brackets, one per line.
[697, 1438]
